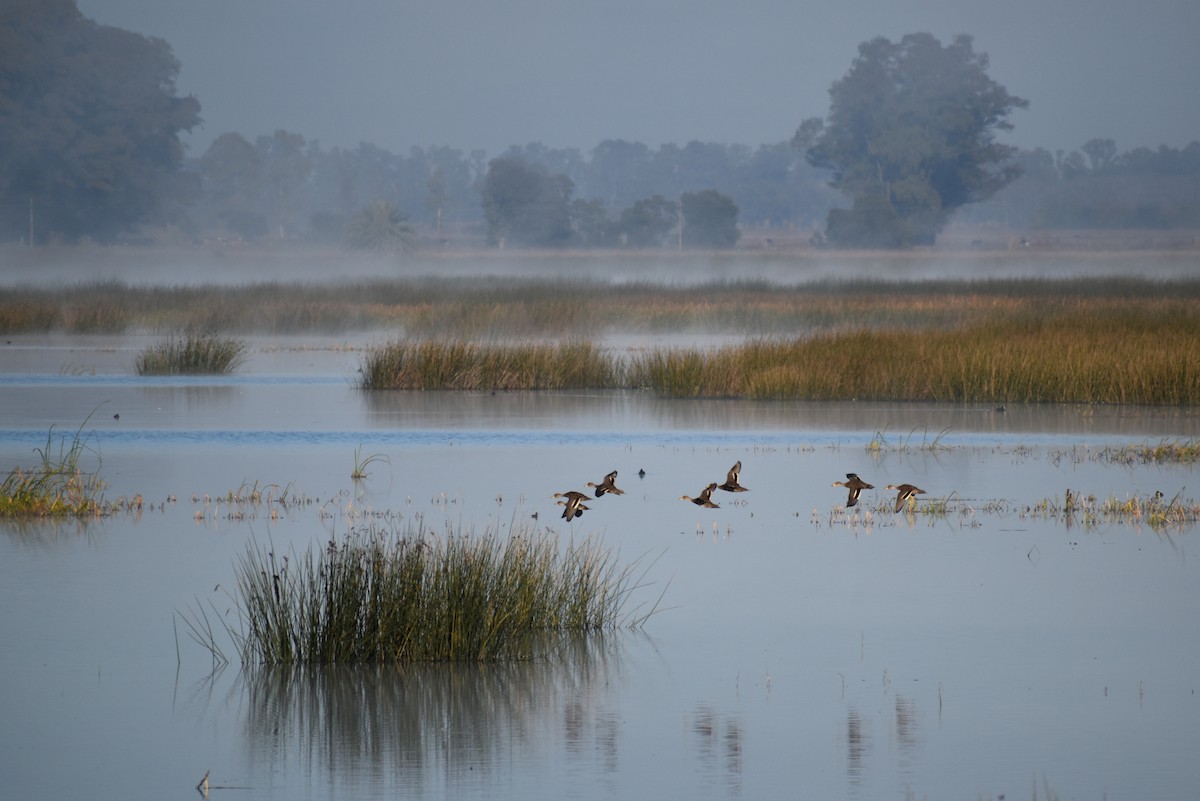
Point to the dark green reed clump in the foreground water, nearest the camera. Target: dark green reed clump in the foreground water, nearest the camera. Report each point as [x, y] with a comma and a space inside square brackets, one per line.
[385, 595]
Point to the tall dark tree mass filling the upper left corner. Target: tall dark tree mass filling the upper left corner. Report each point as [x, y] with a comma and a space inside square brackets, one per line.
[89, 124]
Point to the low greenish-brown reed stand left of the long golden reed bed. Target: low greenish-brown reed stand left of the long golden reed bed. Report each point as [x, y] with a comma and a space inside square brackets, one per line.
[464, 365]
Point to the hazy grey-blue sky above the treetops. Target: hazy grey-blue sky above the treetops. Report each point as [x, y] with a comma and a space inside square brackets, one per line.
[491, 74]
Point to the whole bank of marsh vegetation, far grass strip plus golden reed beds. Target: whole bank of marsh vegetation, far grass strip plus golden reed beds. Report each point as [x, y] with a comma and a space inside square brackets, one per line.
[992, 341]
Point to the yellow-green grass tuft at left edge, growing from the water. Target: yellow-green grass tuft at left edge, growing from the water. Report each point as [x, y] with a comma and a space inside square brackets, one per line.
[59, 486]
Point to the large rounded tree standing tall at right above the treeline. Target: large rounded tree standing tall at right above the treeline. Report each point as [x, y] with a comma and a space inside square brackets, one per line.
[910, 137]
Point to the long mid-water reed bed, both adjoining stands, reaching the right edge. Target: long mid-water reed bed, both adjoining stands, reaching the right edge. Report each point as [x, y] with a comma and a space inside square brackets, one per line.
[1078, 358]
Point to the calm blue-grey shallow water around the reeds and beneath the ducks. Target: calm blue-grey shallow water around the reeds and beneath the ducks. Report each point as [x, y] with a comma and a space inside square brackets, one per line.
[799, 649]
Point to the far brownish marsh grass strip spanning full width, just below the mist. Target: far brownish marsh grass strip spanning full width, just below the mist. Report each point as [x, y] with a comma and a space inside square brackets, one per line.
[578, 305]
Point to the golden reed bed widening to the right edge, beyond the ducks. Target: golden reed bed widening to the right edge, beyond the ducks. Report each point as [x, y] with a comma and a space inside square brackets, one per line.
[1072, 358]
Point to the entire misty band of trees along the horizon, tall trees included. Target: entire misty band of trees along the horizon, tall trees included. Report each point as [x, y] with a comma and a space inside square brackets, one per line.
[92, 149]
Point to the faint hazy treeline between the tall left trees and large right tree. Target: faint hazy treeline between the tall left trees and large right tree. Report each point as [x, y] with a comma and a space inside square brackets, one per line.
[283, 185]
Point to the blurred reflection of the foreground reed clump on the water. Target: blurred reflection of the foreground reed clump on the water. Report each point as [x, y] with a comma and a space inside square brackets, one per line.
[440, 726]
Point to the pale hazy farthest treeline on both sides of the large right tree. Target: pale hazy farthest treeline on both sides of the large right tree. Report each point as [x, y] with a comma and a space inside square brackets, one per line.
[285, 186]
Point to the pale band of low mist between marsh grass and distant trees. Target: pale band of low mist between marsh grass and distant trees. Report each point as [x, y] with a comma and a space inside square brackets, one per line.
[231, 268]
